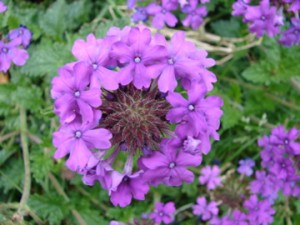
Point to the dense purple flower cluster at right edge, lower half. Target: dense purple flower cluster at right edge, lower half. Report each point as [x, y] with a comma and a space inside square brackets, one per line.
[280, 160]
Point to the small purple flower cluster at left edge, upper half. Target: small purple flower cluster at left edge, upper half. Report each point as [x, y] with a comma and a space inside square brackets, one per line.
[13, 48]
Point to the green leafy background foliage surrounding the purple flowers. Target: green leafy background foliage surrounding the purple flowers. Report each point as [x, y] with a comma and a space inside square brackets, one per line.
[260, 87]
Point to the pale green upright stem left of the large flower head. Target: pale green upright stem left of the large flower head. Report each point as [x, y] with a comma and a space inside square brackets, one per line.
[27, 175]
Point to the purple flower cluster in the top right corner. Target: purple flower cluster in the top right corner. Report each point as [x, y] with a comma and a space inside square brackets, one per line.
[268, 18]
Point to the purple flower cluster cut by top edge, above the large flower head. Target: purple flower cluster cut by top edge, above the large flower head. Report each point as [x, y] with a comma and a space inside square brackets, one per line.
[162, 12]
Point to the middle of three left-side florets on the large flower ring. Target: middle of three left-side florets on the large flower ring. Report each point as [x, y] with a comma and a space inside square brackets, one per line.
[73, 98]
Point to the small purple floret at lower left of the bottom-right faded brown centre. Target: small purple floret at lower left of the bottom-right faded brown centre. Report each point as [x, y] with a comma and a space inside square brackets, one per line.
[206, 210]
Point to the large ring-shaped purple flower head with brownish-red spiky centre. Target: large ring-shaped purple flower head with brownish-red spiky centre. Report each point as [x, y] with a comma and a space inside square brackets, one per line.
[125, 119]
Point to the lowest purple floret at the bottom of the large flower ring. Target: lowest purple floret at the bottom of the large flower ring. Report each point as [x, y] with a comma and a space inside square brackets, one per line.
[125, 187]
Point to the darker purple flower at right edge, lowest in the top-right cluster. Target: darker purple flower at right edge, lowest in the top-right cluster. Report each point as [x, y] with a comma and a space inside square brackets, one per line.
[292, 35]
